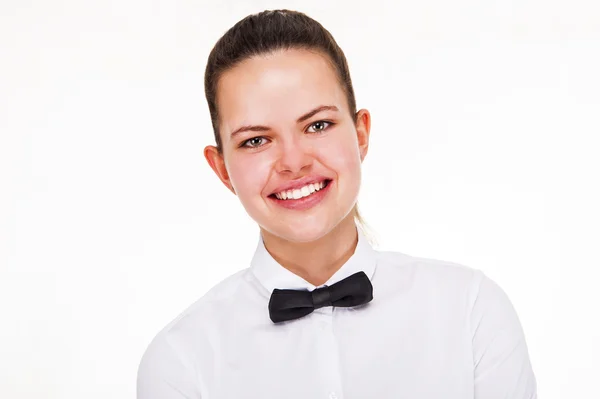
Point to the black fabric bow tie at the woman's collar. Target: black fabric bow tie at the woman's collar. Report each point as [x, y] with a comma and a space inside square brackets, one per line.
[292, 304]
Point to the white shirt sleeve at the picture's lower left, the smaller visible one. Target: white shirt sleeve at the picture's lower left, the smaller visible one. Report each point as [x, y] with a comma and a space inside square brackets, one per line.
[164, 374]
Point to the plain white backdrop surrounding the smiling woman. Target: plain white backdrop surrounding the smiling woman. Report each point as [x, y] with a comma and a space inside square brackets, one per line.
[484, 151]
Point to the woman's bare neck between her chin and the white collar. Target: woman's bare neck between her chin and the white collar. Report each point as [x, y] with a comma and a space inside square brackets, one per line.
[315, 261]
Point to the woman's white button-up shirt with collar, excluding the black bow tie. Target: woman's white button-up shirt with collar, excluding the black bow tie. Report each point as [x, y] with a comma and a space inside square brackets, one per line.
[434, 329]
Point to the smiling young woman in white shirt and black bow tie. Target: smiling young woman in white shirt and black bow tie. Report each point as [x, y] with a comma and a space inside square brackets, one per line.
[319, 313]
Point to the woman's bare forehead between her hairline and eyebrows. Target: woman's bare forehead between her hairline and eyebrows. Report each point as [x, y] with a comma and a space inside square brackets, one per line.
[277, 87]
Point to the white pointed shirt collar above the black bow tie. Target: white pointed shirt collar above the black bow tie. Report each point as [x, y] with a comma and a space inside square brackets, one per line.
[272, 275]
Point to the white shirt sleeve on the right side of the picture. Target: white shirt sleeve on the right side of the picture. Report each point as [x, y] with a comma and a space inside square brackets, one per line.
[502, 367]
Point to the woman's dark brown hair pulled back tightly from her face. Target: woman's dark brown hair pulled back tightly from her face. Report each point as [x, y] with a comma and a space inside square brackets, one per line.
[267, 32]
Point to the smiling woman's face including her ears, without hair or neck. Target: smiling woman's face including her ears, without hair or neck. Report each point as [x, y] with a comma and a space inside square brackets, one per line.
[291, 150]
